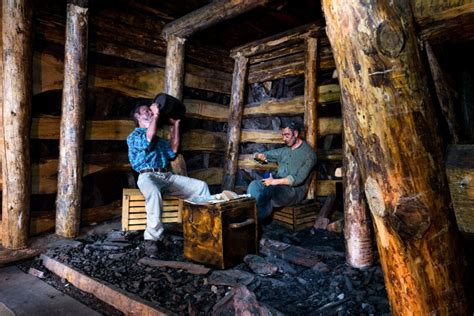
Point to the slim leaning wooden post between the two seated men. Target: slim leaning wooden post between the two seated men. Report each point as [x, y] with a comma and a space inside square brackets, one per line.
[231, 157]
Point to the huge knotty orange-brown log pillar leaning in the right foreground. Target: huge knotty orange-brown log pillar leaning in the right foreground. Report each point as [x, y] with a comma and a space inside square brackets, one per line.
[390, 113]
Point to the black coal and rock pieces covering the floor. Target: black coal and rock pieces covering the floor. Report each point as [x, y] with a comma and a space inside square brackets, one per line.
[270, 284]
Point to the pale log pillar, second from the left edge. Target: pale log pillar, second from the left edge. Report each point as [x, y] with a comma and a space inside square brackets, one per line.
[68, 201]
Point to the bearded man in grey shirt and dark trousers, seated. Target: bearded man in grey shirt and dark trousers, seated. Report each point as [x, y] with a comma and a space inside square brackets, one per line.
[289, 186]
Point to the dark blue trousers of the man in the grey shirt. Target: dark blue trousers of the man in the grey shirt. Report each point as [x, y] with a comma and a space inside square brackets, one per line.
[274, 196]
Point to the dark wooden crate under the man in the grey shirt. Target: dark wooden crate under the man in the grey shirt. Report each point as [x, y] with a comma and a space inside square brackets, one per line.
[297, 217]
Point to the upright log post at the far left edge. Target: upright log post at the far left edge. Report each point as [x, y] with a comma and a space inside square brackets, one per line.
[17, 91]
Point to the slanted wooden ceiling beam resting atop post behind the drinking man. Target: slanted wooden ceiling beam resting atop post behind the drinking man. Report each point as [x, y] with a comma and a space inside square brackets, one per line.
[209, 15]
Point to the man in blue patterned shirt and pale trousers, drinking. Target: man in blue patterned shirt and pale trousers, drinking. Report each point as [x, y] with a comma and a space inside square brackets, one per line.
[149, 155]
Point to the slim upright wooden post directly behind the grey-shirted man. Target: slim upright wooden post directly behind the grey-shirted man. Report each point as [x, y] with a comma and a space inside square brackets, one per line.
[310, 101]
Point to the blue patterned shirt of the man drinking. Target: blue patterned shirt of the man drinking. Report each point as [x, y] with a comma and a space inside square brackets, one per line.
[144, 154]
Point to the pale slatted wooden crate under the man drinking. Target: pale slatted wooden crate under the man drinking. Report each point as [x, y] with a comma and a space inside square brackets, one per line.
[134, 213]
